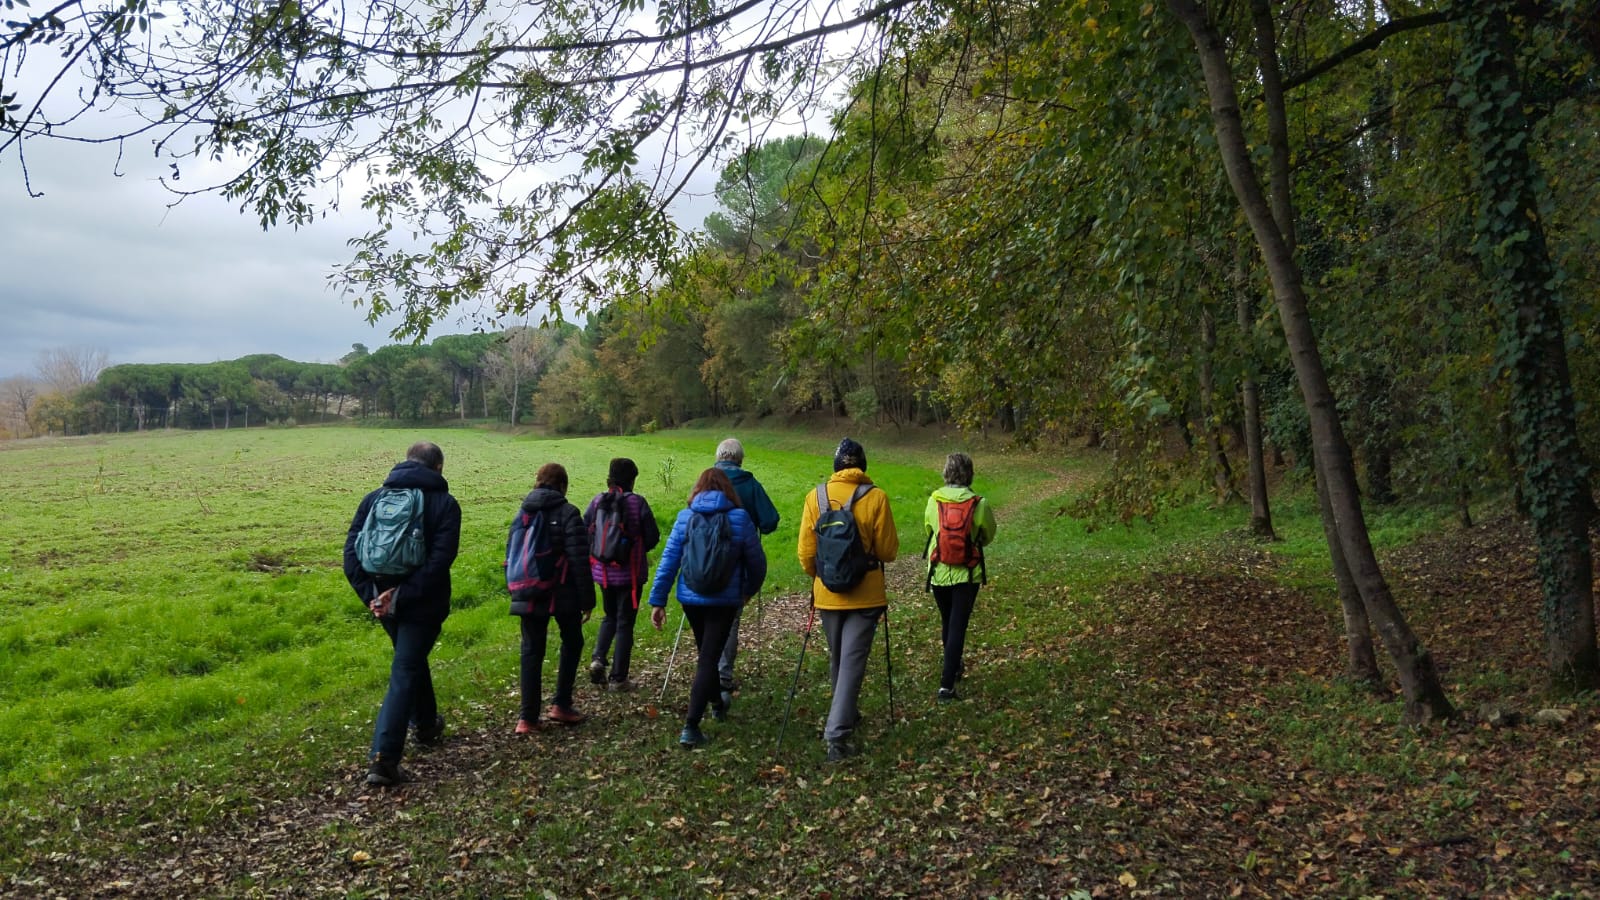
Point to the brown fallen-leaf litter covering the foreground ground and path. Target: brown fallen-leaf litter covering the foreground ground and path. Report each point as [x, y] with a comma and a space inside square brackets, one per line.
[1210, 752]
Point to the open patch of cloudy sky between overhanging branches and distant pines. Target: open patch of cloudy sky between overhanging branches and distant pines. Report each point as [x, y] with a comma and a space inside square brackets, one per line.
[100, 262]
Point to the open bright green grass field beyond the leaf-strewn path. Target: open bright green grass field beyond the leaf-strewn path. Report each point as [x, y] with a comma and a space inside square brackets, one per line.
[178, 589]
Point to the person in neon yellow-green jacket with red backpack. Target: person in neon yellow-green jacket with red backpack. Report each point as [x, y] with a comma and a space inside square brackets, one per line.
[959, 526]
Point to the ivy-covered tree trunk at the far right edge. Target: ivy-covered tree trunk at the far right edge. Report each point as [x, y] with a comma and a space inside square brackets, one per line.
[1527, 289]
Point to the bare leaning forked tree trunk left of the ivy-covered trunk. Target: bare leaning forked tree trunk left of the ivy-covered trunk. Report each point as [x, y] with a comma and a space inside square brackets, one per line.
[1425, 696]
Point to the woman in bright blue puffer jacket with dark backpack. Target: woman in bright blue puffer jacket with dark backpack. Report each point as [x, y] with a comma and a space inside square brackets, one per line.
[714, 555]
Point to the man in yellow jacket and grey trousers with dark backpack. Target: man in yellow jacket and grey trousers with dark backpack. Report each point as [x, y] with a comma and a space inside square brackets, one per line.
[850, 614]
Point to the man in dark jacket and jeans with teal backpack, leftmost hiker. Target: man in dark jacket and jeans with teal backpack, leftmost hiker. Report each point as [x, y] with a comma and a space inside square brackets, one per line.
[412, 609]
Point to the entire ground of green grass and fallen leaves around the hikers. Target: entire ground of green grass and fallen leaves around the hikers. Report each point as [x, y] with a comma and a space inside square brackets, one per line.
[188, 689]
